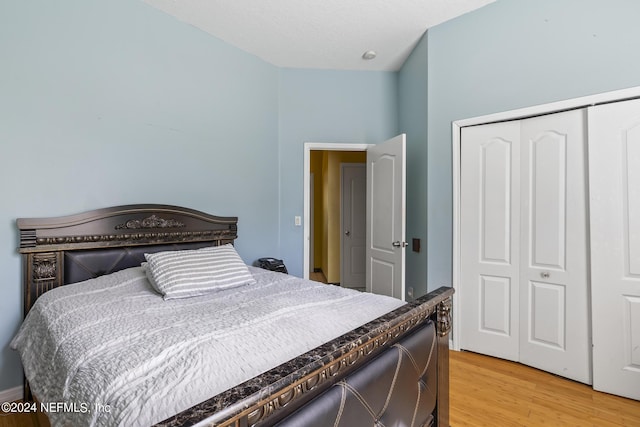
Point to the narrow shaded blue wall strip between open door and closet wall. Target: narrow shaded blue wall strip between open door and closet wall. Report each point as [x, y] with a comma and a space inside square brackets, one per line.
[412, 112]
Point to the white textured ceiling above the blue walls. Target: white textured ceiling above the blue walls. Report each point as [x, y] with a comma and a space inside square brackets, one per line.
[325, 34]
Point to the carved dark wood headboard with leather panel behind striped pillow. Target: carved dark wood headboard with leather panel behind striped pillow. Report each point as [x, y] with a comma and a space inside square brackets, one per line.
[106, 240]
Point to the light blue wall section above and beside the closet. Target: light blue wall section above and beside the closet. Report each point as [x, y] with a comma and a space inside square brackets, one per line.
[512, 54]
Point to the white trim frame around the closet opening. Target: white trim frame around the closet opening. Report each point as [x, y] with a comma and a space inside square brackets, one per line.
[522, 113]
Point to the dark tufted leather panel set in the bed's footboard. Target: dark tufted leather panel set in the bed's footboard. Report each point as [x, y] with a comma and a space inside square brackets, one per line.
[397, 387]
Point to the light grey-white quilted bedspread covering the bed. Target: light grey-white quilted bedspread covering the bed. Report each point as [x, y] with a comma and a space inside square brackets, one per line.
[113, 341]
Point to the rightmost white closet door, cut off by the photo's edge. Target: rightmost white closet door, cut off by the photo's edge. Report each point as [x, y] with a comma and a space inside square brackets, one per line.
[614, 181]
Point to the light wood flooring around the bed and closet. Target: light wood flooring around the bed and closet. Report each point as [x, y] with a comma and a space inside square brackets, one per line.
[485, 391]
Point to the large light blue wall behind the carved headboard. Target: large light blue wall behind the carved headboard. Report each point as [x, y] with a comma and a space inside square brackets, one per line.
[113, 102]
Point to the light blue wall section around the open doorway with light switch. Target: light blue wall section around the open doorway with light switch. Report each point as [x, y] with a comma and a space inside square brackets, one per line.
[326, 106]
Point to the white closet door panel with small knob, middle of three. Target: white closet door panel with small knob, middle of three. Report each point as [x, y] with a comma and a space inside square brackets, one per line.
[554, 305]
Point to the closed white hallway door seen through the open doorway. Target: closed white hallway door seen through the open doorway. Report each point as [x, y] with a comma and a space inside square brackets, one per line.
[353, 208]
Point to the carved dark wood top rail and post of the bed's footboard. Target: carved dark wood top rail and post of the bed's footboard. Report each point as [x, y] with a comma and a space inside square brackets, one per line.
[272, 397]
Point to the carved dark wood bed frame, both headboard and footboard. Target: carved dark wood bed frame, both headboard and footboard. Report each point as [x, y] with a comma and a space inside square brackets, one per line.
[62, 250]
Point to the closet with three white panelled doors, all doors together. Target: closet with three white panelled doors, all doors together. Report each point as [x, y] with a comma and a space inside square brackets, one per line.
[549, 252]
